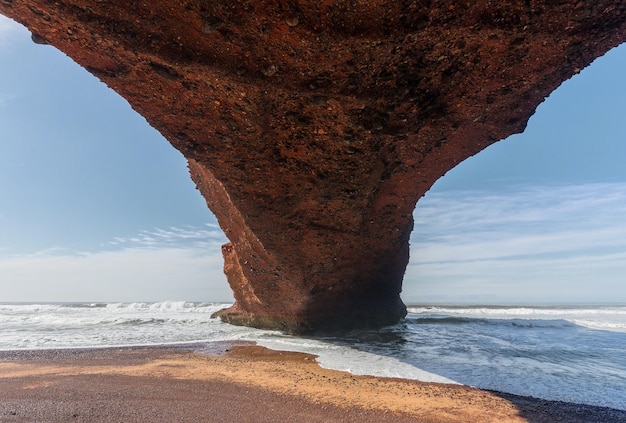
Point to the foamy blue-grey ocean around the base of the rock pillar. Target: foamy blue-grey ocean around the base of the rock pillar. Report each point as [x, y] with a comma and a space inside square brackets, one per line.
[568, 353]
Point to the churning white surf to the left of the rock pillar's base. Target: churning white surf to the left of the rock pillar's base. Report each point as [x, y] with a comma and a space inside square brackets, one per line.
[36, 326]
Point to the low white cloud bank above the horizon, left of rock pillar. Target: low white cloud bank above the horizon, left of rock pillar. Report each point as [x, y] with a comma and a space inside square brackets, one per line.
[139, 269]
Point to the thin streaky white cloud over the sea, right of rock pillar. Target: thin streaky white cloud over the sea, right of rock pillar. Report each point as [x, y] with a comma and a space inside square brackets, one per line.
[565, 243]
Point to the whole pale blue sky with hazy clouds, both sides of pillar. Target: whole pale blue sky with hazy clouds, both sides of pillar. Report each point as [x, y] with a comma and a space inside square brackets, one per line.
[96, 206]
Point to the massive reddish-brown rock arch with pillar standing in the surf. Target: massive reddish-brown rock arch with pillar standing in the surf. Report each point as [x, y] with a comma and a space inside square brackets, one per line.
[313, 127]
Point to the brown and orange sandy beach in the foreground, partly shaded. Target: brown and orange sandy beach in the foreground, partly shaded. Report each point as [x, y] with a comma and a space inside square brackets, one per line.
[242, 382]
